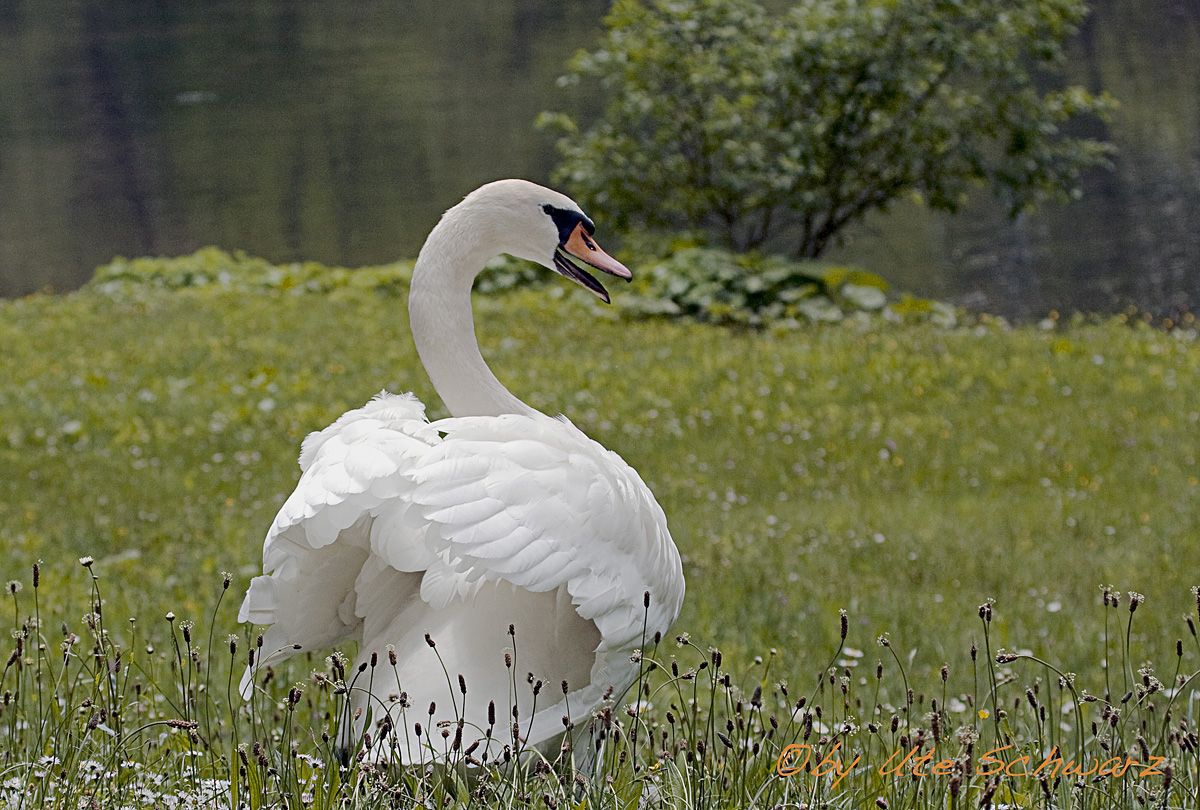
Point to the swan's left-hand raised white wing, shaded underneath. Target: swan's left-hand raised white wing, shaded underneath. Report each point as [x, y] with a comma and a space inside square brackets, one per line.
[345, 509]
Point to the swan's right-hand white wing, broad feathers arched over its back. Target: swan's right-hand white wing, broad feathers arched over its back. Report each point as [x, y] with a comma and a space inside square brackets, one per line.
[532, 502]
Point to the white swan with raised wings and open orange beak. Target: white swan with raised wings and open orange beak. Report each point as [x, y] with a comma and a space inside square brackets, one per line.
[405, 532]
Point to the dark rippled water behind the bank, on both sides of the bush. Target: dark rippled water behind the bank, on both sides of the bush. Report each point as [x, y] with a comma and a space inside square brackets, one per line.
[340, 131]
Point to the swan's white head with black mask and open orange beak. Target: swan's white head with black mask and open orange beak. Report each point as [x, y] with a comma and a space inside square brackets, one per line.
[543, 226]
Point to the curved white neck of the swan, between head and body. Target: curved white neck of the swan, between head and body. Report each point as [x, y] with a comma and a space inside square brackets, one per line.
[443, 326]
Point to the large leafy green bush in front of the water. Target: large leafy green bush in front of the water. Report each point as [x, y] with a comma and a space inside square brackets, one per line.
[785, 129]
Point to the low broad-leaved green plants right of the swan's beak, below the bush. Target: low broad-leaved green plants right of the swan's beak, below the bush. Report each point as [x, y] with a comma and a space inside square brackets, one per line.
[716, 286]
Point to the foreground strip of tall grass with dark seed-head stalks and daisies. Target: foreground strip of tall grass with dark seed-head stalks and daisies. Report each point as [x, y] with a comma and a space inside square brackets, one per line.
[119, 718]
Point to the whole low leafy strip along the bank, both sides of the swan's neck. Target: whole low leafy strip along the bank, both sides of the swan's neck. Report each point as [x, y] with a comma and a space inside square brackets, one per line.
[707, 285]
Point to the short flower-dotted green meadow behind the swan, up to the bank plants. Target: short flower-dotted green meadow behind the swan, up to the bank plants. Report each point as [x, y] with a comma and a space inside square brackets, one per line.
[904, 472]
